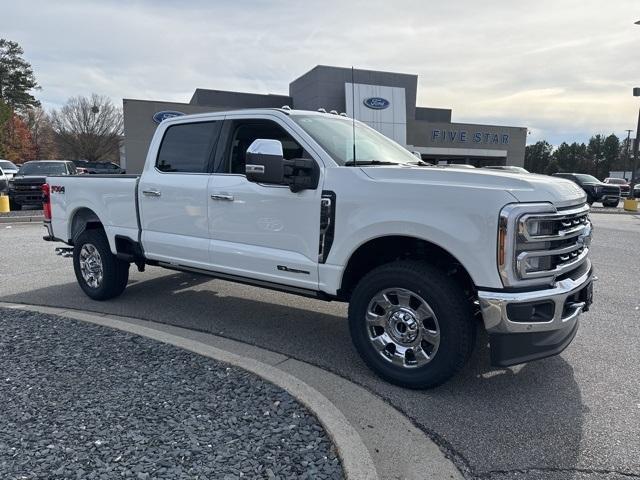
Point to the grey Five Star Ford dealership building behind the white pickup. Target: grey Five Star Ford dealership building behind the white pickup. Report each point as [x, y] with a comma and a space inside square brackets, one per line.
[385, 101]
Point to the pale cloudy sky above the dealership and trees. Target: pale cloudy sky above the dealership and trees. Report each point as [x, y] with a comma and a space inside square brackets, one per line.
[563, 68]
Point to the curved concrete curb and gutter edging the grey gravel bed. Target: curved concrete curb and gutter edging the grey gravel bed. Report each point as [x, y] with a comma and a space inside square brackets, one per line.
[373, 439]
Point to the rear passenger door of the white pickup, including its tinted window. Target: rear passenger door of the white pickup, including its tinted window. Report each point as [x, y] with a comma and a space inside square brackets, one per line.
[173, 194]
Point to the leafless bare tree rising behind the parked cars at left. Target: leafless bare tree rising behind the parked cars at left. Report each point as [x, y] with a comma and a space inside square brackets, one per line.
[88, 128]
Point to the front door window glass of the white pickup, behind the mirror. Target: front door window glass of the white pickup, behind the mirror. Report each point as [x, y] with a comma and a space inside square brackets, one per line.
[242, 133]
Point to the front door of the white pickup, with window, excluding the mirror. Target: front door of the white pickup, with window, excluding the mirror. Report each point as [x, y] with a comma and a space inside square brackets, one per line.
[263, 232]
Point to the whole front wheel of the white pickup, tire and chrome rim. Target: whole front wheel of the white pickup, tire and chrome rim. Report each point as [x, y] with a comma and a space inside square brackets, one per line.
[412, 324]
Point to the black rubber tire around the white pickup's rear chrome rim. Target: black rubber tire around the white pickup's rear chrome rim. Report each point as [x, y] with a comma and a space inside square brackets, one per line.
[115, 272]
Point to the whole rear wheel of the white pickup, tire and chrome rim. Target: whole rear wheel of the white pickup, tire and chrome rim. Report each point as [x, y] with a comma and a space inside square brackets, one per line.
[100, 274]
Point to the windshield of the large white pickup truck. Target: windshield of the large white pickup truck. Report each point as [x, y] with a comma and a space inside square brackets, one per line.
[335, 135]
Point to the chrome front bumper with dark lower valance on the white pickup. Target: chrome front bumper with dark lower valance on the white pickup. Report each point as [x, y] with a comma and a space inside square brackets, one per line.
[515, 341]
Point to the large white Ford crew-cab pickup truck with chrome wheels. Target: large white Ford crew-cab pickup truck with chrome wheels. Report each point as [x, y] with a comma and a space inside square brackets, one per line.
[281, 199]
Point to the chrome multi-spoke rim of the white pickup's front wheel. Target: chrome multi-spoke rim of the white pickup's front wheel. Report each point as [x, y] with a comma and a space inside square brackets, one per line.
[402, 327]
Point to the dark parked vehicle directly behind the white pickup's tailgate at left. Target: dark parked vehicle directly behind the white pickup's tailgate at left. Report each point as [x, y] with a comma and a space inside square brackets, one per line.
[25, 188]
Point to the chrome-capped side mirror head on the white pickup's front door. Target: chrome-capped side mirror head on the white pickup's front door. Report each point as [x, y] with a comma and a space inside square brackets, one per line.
[265, 162]
